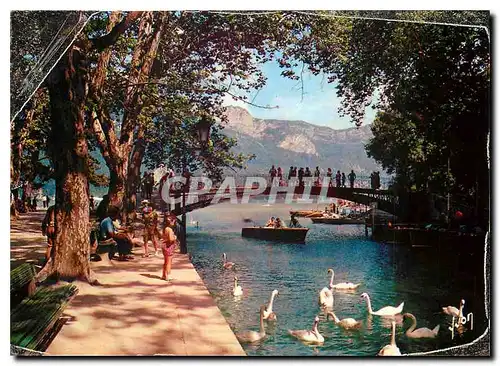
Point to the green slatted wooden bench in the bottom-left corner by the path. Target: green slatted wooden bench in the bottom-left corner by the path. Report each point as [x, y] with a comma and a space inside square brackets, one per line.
[35, 312]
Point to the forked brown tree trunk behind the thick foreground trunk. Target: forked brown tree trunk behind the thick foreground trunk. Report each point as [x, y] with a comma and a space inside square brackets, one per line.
[117, 151]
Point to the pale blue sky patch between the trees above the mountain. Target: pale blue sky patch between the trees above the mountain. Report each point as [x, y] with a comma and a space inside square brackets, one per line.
[319, 105]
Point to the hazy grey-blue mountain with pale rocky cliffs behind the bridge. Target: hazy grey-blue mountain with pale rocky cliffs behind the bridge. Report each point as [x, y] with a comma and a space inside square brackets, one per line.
[298, 143]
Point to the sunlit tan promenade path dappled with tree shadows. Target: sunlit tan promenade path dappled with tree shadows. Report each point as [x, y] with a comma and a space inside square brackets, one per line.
[133, 312]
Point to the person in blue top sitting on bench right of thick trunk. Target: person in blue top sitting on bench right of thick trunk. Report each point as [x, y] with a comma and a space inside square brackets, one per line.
[110, 235]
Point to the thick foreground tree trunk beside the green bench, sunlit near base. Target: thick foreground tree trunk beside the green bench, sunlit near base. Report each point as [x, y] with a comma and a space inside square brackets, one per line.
[67, 88]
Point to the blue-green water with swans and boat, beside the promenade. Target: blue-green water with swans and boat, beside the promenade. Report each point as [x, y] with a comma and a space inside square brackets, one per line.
[423, 278]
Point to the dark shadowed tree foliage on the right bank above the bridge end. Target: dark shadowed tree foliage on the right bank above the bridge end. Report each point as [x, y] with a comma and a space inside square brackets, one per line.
[434, 81]
